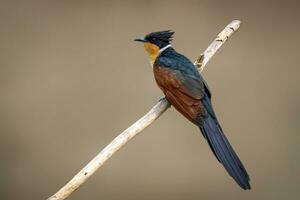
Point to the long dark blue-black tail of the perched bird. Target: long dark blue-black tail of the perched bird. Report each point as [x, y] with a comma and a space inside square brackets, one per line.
[222, 149]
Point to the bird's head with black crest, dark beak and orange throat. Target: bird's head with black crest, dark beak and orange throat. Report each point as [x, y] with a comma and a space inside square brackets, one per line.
[155, 42]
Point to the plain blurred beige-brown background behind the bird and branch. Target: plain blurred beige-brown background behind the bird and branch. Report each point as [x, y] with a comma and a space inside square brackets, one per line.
[71, 79]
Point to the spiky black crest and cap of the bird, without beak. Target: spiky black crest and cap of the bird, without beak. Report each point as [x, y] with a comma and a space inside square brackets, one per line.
[161, 38]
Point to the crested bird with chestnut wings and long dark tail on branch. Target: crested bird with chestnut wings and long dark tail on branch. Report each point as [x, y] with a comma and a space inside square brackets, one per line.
[188, 92]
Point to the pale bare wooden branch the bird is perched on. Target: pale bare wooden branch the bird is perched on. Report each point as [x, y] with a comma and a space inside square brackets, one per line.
[142, 123]
